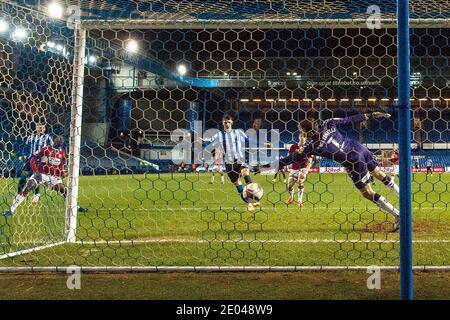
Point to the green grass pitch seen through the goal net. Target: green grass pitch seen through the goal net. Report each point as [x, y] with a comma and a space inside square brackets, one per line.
[181, 219]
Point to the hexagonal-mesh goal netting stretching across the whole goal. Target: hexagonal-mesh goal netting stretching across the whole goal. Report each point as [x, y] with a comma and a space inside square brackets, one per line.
[151, 204]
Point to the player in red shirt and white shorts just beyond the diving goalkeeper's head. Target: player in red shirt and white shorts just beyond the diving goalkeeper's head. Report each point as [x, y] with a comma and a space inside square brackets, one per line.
[298, 172]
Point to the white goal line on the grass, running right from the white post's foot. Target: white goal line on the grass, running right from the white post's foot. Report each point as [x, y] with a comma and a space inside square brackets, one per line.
[175, 240]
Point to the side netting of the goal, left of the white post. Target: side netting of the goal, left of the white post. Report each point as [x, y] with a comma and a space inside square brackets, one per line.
[35, 88]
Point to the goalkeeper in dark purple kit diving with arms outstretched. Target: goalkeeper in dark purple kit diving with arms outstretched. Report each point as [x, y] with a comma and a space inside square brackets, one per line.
[325, 140]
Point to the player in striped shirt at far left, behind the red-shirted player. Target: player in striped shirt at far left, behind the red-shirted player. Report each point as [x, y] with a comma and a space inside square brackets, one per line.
[33, 144]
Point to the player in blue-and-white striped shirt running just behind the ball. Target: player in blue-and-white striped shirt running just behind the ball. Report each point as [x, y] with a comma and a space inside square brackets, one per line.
[231, 142]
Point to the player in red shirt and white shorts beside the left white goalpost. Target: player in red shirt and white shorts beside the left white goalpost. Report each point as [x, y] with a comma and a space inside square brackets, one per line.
[48, 168]
